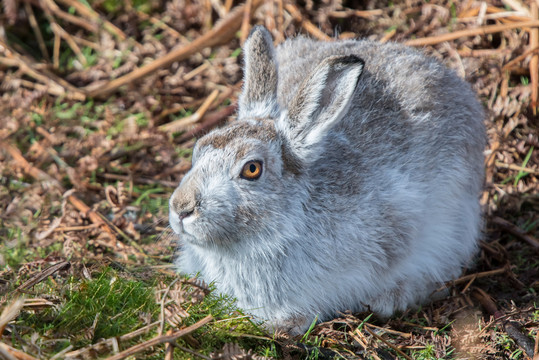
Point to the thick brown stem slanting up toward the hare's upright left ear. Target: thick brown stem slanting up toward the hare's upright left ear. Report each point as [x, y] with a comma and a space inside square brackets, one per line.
[221, 33]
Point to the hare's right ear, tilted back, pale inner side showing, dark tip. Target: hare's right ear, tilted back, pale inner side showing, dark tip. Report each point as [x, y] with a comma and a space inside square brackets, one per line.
[323, 99]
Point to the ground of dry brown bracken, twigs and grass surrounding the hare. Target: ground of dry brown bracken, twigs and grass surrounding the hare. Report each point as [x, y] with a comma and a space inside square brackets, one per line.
[100, 106]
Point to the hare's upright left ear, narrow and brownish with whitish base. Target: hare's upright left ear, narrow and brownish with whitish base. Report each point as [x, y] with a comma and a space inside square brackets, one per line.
[259, 96]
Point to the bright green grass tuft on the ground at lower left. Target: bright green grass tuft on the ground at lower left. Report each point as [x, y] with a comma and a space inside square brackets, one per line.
[109, 304]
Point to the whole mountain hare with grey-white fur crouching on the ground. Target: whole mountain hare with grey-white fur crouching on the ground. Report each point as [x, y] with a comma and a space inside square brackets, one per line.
[349, 181]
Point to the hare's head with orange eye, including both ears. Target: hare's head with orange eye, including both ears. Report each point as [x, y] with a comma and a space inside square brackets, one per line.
[250, 175]
